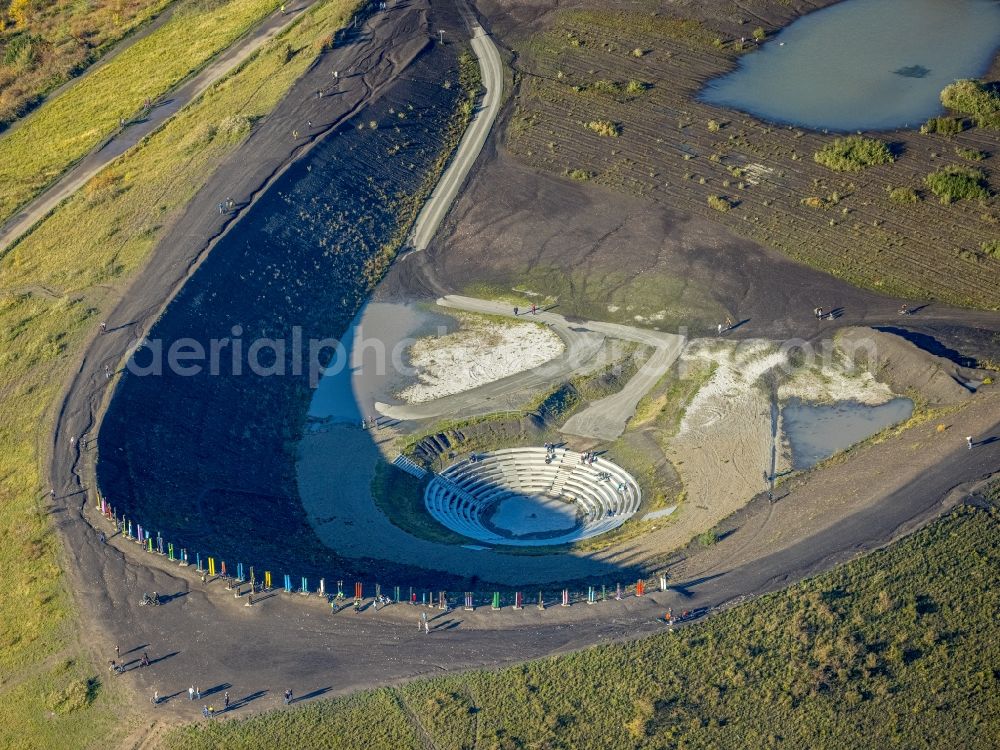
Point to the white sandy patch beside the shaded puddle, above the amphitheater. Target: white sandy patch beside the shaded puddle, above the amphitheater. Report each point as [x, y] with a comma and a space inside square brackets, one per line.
[480, 352]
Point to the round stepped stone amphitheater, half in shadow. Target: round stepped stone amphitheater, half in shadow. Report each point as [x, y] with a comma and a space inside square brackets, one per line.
[518, 497]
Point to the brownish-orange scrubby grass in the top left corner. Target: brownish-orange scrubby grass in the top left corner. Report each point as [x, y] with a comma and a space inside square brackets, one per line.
[45, 42]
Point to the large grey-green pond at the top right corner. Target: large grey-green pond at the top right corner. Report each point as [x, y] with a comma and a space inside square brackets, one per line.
[863, 64]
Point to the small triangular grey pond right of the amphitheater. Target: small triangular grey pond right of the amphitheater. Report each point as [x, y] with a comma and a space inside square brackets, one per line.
[817, 431]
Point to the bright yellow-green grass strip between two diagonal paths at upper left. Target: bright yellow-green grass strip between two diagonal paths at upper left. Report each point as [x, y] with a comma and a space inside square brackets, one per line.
[66, 128]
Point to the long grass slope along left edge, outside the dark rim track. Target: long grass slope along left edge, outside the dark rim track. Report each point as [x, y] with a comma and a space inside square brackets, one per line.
[51, 298]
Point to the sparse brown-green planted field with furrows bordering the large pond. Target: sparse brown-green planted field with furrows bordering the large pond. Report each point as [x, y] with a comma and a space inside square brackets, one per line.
[757, 179]
